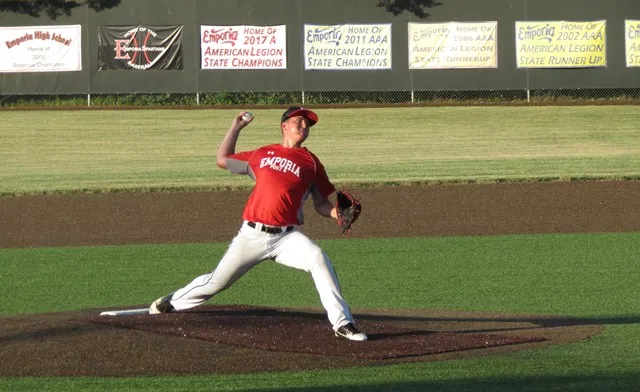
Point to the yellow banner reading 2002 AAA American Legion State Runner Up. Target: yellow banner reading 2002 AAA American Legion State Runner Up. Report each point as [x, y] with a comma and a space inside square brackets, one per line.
[561, 44]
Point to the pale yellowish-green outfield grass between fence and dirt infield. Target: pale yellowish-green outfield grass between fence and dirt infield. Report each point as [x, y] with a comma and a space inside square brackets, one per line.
[70, 151]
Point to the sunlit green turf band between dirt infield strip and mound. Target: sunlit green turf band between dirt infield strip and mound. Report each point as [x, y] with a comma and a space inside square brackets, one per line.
[535, 273]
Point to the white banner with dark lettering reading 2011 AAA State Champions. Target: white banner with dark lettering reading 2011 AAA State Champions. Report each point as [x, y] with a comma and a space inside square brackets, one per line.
[347, 47]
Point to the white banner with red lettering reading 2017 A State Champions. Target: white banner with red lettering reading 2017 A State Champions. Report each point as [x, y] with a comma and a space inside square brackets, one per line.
[243, 47]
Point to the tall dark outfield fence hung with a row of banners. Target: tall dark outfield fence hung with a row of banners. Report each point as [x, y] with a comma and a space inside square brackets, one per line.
[416, 52]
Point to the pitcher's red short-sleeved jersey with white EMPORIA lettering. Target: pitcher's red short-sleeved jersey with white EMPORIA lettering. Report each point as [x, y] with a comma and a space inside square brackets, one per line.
[285, 177]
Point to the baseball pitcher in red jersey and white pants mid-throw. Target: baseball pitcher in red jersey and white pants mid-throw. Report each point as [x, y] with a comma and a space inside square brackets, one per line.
[285, 175]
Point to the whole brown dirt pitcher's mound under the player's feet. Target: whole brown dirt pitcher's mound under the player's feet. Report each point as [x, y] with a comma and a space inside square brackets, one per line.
[244, 339]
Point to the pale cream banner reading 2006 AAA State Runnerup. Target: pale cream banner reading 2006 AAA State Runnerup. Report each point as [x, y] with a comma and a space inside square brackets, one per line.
[453, 45]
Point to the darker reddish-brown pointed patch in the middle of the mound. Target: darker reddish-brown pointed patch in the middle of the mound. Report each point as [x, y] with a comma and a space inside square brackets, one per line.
[307, 332]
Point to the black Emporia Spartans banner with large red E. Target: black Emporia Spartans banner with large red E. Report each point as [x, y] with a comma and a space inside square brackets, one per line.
[140, 47]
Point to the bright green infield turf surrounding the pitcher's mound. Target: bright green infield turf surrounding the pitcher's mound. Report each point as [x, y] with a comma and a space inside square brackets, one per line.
[592, 276]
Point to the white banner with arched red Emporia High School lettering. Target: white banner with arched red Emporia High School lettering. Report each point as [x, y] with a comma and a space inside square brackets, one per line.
[40, 48]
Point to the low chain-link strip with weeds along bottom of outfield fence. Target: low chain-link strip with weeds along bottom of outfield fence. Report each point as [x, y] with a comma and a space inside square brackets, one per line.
[335, 98]
